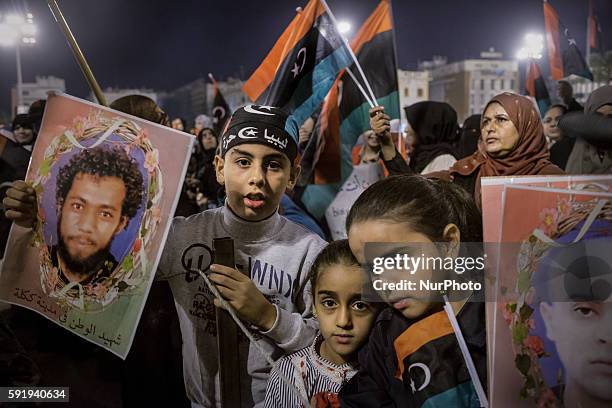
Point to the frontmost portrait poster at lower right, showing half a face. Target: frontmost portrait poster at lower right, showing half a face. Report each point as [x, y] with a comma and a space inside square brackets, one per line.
[552, 344]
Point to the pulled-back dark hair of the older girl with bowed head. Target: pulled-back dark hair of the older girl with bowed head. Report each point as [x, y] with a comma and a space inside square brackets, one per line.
[428, 205]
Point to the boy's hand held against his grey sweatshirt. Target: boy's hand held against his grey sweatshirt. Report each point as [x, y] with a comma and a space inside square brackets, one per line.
[240, 291]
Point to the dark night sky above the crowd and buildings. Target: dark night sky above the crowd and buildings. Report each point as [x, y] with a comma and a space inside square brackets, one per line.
[166, 44]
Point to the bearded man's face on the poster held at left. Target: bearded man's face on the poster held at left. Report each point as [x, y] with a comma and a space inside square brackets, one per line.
[89, 219]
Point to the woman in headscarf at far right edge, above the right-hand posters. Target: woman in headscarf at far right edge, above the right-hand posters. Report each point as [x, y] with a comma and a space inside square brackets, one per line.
[592, 131]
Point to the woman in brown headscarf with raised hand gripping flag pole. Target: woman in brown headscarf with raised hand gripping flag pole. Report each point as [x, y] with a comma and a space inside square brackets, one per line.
[512, 144]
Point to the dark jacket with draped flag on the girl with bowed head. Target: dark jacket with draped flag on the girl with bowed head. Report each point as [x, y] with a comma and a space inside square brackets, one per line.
[401, 369]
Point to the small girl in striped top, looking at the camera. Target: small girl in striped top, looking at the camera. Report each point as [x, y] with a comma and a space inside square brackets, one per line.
[319, 371]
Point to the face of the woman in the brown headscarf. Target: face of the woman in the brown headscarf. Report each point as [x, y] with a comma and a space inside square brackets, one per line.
[499, 135]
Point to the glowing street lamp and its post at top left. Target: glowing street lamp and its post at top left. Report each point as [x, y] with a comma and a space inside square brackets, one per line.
[16, 31]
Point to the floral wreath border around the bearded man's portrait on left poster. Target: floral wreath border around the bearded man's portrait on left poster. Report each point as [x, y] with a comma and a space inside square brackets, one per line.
[131, 272]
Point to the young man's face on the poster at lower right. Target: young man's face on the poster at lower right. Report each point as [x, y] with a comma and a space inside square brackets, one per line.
[578, 319]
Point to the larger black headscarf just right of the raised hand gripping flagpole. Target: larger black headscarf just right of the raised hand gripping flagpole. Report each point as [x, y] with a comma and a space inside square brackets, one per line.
[435, 125]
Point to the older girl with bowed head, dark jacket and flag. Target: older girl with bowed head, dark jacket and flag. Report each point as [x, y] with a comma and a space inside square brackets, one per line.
[415, 357]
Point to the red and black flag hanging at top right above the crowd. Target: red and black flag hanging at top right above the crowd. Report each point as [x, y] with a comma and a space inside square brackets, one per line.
[563, 54]
